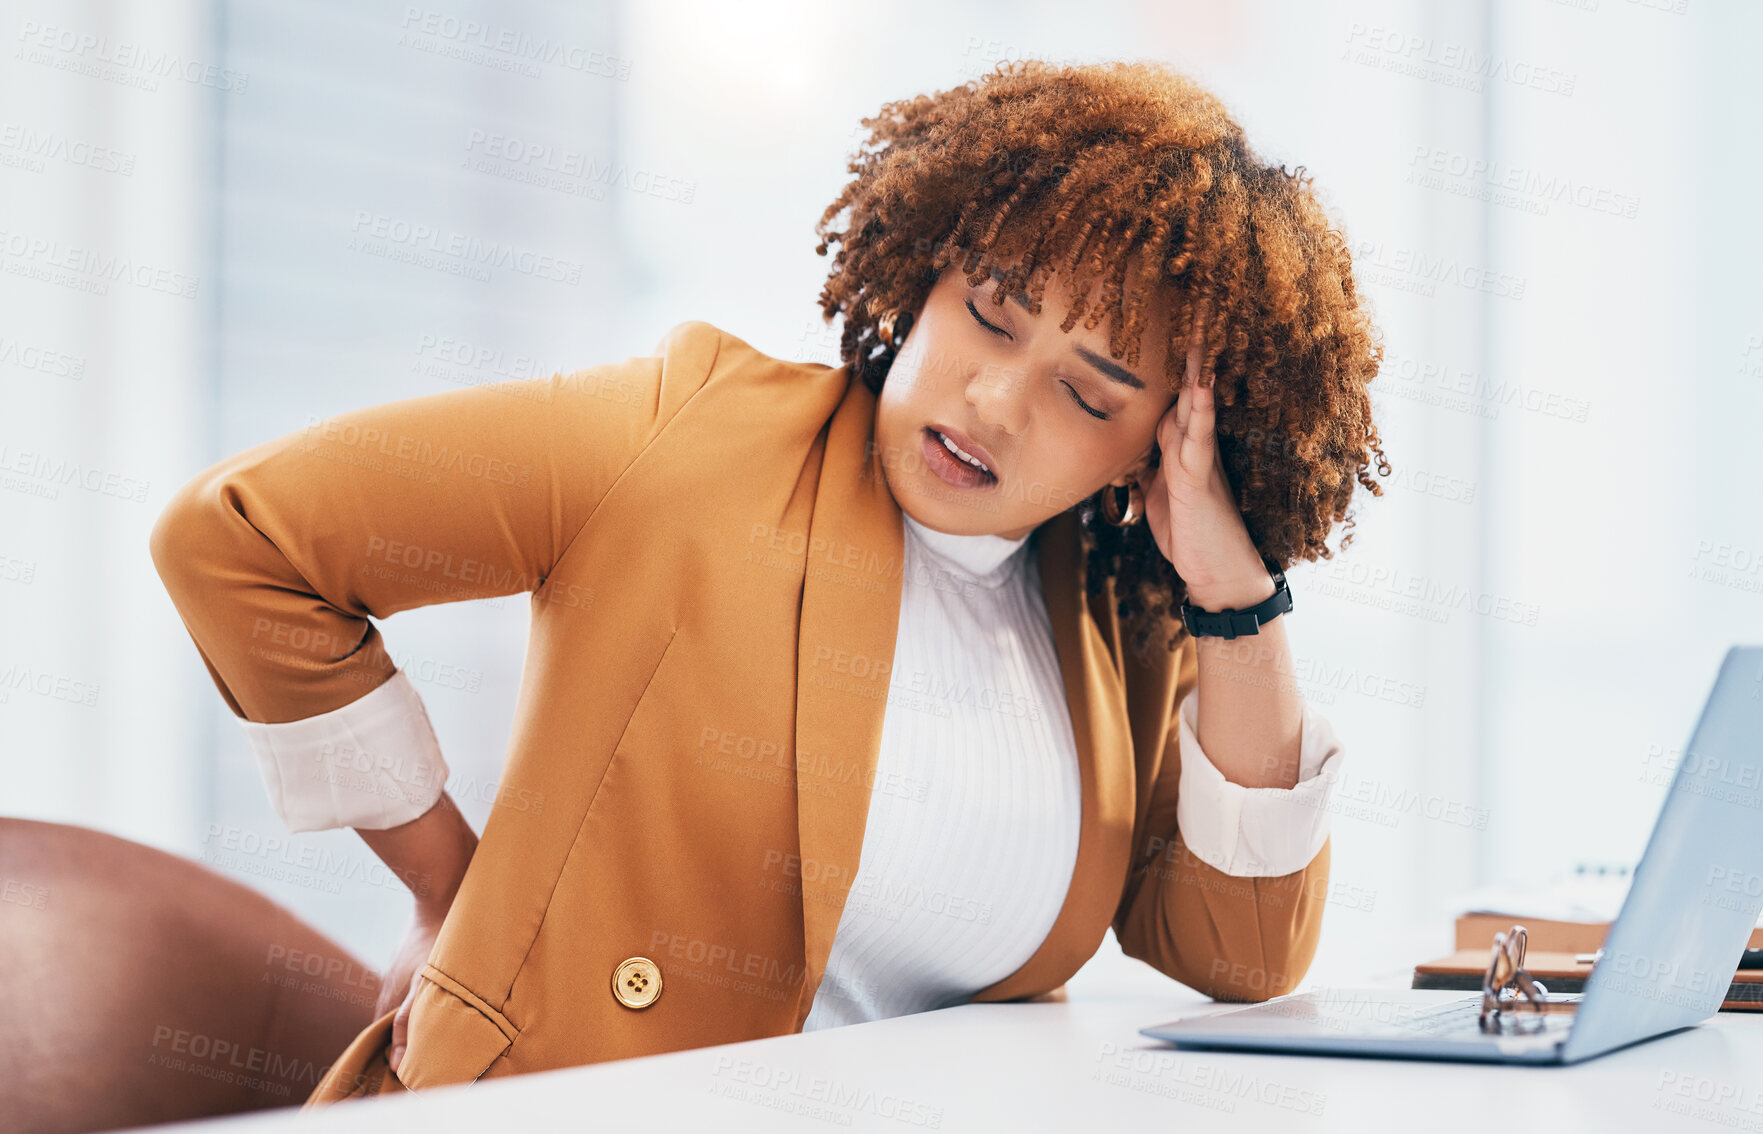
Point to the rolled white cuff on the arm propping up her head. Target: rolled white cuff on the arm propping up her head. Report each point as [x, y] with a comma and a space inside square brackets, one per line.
[1260, 833]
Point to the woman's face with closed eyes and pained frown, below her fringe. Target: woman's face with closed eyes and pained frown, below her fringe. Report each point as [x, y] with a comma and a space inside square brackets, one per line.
[1009, 396]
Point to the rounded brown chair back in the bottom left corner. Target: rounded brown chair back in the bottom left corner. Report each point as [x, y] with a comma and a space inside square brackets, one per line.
[140, 987]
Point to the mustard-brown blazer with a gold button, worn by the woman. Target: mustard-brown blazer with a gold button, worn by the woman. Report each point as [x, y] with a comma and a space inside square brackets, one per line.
[715, 572]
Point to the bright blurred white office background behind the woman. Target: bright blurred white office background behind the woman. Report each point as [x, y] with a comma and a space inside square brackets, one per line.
[221, 221]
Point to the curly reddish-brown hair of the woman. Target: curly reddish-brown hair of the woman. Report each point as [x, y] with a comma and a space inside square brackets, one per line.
[1038, 168]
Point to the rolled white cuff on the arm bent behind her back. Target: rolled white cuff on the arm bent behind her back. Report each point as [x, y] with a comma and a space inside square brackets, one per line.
[371, 765]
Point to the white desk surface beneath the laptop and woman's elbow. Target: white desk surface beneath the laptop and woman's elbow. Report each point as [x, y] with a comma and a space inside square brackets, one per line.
[1076, 1064]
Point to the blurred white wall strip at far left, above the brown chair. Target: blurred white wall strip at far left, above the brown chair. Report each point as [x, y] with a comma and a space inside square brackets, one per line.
[107, 324]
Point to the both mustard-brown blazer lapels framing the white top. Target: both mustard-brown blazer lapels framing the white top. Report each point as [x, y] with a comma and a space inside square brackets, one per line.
[845, 653]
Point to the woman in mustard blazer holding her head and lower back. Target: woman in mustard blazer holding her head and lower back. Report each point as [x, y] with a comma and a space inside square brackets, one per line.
[849, 690]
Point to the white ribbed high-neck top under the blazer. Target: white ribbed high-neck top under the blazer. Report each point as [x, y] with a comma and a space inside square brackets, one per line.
[962, 881]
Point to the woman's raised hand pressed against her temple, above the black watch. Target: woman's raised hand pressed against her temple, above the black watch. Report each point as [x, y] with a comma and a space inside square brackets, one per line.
[1191, 509]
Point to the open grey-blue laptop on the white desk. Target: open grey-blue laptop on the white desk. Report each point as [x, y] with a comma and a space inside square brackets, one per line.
[1669, 959]
